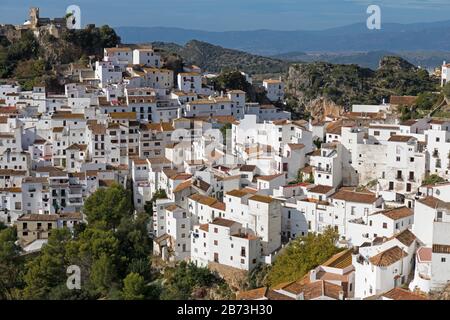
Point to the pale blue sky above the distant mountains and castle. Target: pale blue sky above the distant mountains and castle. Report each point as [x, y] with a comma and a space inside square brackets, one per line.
[220, 15]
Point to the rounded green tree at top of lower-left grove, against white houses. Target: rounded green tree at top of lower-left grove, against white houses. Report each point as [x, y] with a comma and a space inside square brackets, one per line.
[106, 207]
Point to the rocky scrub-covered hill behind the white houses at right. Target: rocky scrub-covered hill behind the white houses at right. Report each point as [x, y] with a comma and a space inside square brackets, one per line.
[345, 85]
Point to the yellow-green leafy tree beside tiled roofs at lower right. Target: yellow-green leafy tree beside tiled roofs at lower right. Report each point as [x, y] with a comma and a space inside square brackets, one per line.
[301, 255]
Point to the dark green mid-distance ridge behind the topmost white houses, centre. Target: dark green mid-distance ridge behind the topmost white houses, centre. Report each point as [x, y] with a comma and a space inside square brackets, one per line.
[216, 59]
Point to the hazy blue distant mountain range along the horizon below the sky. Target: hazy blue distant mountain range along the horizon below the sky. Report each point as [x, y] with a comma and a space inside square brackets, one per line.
[392, 37]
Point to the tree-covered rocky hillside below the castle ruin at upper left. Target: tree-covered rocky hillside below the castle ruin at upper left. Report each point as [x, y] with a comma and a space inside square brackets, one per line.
[35, 60]
